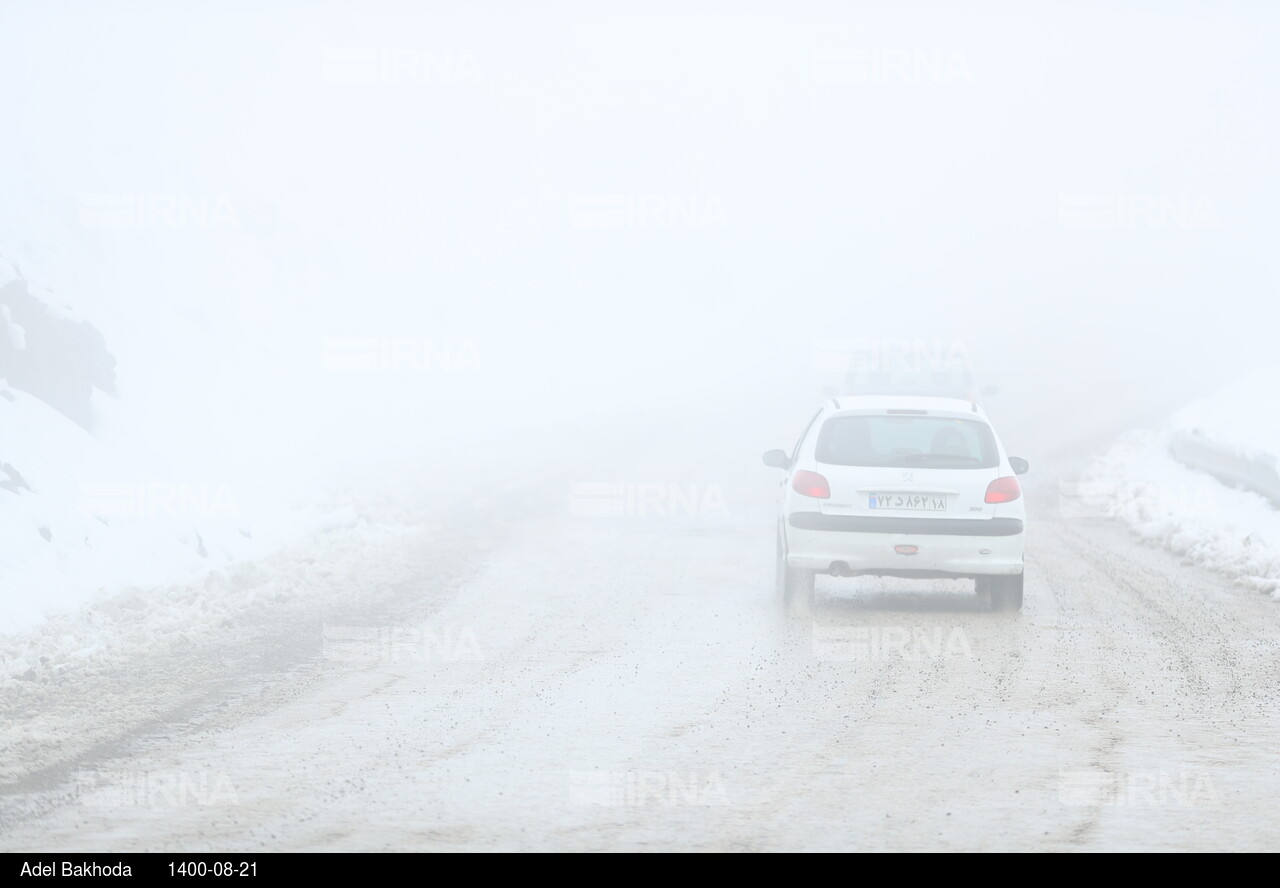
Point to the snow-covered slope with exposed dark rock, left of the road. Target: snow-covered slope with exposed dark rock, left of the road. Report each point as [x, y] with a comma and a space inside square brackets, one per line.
[94, 498]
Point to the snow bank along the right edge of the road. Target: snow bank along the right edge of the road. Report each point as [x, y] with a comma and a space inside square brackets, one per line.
[1188, 511]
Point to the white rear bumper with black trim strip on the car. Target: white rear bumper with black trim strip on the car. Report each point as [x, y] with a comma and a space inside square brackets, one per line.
[944, 547]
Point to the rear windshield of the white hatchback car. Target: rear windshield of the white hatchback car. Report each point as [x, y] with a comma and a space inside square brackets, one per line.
[903, 442]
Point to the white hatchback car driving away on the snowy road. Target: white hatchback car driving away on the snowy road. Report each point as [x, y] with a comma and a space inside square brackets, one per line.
[900, 487]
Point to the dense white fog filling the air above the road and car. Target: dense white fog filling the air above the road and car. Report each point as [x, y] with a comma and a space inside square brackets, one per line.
[766, 177]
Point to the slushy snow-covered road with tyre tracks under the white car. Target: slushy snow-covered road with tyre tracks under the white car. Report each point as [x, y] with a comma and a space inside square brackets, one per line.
[577, 684]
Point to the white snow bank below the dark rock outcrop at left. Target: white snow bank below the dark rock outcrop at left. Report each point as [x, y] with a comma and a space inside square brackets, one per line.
[77, 521]
